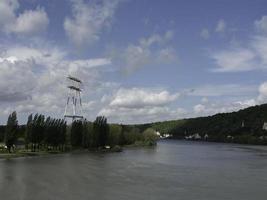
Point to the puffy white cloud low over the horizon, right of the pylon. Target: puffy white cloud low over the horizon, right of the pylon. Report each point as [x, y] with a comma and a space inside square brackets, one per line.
[140, 105]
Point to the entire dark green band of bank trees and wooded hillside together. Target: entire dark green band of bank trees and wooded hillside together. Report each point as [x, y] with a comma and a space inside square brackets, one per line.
[45, 133]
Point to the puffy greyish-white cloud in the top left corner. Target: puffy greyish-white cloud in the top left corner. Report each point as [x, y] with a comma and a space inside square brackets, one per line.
[30, 22]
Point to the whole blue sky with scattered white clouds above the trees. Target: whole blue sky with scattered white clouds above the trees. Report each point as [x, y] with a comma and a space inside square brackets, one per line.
[140, 61]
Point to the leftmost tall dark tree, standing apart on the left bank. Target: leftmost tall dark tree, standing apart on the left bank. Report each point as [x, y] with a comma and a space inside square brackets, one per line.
[11, 130]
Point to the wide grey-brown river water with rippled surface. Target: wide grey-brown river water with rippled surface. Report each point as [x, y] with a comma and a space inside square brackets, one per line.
[172, 170]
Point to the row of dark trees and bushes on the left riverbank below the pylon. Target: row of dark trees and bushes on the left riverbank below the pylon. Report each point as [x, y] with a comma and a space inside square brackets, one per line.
[42, 136]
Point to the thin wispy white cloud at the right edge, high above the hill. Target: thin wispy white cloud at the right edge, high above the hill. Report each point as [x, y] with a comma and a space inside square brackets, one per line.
[251, 55]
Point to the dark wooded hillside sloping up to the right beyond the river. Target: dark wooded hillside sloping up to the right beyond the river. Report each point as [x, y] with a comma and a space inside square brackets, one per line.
[244, 126]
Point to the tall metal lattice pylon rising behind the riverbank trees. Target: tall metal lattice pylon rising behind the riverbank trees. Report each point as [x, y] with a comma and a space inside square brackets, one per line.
[74, 99]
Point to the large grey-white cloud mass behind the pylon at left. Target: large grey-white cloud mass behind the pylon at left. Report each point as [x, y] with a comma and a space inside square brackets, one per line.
[34, 80]
